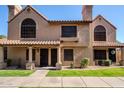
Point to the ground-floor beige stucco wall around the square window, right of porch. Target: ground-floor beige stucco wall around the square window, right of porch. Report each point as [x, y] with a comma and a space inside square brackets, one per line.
[79, 53]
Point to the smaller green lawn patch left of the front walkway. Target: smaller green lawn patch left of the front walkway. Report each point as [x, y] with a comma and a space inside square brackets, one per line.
[5, 73]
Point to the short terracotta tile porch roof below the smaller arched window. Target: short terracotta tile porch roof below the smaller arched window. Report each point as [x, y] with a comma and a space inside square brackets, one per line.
[109, 44]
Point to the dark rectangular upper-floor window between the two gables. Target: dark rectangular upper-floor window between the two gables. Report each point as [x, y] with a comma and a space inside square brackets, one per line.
[68, 31]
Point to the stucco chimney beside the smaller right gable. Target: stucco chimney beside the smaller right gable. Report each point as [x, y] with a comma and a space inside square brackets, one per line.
[87, 13]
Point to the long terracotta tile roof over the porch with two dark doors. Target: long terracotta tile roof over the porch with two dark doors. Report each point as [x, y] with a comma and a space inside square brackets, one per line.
[18, 42]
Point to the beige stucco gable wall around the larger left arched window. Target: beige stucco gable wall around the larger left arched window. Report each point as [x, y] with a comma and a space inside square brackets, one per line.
[42, 27]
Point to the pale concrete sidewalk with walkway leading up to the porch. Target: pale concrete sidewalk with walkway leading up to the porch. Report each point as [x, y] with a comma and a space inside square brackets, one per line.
[38, 79]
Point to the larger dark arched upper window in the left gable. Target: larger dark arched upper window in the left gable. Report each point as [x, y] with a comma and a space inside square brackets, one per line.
[28, 28]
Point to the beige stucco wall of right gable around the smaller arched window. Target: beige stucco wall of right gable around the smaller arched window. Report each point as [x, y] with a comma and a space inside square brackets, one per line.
[110, 31]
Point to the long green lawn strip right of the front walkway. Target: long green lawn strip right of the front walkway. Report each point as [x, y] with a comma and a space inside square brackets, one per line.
[110, 72]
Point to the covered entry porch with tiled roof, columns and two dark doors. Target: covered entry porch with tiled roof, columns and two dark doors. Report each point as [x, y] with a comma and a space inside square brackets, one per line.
[31, 54]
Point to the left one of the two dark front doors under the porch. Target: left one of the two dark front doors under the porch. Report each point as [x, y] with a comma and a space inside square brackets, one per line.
[43, 57]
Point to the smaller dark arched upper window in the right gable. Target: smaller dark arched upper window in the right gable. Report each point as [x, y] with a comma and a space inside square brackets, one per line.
[99, 33]
